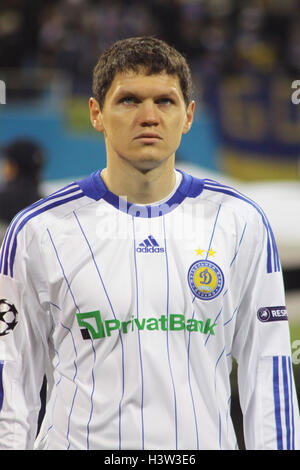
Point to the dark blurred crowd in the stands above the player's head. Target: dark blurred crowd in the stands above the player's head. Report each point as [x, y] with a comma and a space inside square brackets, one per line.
[217, 36]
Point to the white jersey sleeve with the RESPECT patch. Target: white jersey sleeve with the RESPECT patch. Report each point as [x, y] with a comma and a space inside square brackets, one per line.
[262, 349]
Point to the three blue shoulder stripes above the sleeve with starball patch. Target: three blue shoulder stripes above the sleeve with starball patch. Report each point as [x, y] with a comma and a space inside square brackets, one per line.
[10, 241]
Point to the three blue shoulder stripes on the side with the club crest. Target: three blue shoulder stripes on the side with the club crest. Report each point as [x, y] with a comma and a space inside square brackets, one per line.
[272, 252]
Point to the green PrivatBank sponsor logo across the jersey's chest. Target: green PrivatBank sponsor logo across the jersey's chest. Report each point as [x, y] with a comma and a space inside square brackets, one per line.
[92, 325]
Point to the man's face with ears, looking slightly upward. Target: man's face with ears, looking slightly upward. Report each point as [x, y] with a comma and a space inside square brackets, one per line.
[143, 118]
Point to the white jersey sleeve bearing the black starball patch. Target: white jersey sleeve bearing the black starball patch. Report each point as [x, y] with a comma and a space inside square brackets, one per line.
[24, 328]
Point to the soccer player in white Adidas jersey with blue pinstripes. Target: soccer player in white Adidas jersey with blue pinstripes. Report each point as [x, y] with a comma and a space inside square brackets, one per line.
[134, 288]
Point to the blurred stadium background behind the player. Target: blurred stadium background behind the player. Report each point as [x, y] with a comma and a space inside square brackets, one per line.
[245, 56]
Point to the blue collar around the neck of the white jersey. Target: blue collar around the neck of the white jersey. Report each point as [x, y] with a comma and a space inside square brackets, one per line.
[94, 187]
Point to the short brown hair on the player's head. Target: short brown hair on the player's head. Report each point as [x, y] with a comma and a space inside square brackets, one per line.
[153, 55]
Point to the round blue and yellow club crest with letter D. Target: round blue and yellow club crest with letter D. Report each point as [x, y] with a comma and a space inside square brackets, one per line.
[206, 279]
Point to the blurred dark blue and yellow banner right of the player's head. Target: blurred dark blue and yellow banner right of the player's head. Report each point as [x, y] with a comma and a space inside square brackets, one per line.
[258, 124]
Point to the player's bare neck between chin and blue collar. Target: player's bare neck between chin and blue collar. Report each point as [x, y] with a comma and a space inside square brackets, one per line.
[140, 186]
